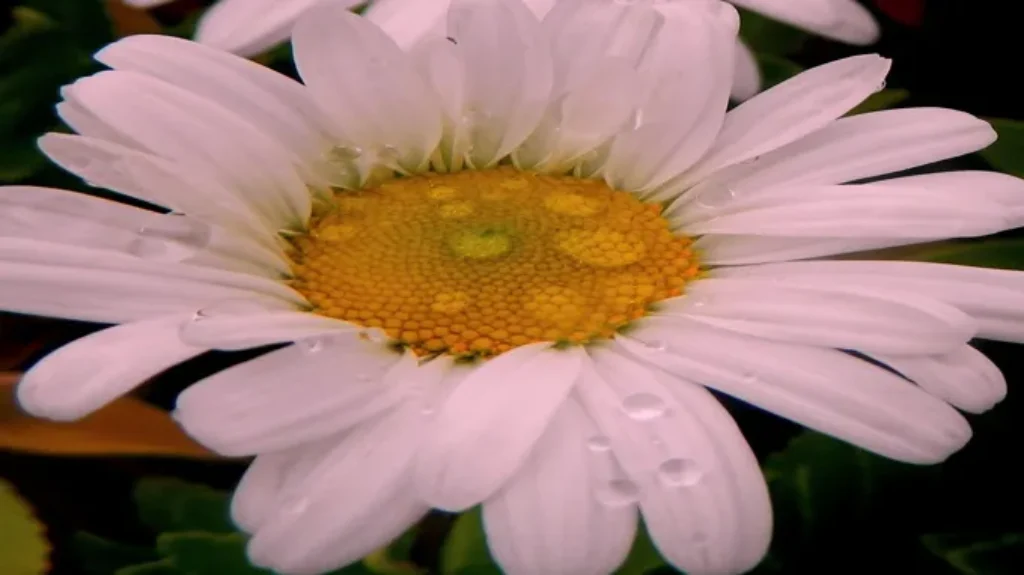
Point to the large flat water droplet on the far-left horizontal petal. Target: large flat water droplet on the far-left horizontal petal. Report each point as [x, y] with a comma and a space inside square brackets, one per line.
[170, 238]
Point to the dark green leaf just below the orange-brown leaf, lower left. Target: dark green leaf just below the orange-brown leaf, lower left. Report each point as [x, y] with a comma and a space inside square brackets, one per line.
[172, 505]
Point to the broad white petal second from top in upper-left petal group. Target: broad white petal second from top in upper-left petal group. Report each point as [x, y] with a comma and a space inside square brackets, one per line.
[194, 131]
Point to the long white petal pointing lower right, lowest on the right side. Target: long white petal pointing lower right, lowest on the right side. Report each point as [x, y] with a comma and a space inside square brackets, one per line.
[826, 390]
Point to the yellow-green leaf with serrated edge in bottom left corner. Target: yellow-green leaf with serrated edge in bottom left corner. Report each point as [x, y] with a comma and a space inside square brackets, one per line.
[24, 550]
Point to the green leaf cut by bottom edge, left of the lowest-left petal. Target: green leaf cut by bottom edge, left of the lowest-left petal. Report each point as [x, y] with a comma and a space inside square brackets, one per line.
[208, 554]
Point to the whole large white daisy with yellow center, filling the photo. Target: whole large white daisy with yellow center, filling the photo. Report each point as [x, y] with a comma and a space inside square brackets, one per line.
[513, 263]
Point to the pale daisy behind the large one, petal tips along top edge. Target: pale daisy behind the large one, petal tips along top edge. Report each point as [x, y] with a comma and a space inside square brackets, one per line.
[250, 27]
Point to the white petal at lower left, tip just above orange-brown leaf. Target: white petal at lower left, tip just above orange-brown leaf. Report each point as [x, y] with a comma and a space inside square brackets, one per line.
[94, 371]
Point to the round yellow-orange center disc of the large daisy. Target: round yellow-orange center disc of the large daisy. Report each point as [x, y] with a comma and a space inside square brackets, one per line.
[480, 262]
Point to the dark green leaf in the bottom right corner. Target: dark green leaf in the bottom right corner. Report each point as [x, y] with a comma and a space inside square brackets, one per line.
[973, 555]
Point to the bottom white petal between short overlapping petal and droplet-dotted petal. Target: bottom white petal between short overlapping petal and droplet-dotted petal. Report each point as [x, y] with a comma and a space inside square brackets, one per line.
[547, 519]
